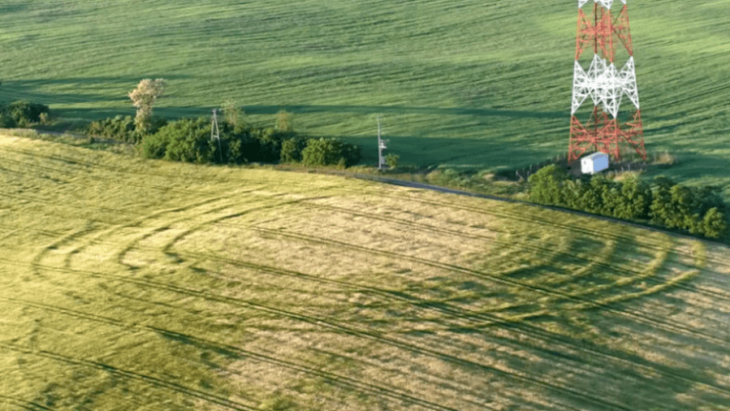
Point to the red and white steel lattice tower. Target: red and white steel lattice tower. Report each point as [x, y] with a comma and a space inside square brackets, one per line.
[607, 34]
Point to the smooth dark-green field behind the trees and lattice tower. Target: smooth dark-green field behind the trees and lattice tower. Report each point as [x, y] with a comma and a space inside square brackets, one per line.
[462, 83]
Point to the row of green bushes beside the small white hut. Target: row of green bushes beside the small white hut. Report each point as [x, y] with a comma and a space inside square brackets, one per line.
[698, 210]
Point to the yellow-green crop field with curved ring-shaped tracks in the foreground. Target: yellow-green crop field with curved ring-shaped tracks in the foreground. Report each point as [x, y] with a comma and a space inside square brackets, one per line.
[146, 285]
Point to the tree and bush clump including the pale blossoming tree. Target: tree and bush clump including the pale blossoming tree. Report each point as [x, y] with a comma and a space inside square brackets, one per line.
[189, 139]
